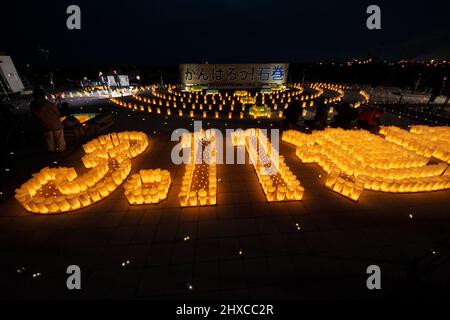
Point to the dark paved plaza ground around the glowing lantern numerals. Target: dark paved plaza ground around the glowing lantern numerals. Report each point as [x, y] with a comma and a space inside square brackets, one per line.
[243, 247]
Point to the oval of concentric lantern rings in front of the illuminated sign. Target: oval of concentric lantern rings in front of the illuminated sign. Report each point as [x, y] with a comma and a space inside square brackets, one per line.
[209, 104]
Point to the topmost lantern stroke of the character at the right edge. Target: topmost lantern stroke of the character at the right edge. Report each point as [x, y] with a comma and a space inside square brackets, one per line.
[424, 140]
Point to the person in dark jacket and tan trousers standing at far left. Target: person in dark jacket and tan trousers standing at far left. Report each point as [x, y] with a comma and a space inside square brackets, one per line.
[47, 114]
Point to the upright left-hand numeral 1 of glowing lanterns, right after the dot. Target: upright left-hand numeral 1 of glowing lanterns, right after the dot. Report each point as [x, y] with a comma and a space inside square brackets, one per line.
[199, 184]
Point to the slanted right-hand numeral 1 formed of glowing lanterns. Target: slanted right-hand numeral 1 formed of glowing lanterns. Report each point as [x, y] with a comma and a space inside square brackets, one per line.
[275, 177]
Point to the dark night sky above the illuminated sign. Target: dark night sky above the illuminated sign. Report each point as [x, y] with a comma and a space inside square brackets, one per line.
[158, 32]
